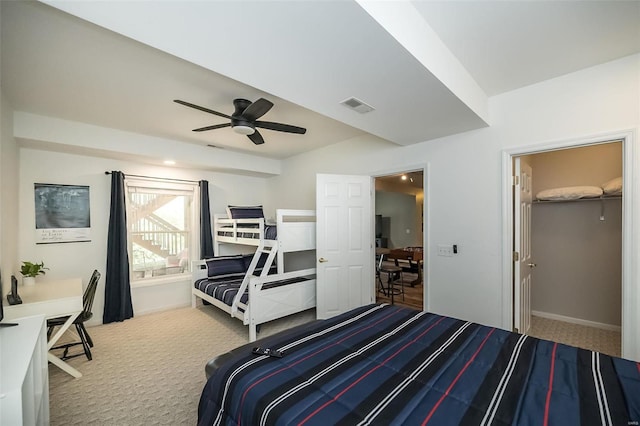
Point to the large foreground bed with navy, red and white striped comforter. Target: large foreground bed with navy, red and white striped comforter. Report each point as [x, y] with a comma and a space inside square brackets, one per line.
[382, 364]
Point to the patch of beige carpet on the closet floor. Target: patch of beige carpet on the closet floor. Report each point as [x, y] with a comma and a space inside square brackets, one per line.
[595, 339]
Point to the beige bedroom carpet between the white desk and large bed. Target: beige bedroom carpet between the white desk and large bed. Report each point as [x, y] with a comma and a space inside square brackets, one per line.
[149, 369]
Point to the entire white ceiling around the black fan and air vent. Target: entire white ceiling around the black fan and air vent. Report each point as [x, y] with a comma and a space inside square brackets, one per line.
[427, 67]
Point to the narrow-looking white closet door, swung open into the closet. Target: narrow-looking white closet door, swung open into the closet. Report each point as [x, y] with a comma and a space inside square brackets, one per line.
[522, 241]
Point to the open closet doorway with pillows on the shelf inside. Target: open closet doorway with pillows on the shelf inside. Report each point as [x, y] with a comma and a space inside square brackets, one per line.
[568, 245]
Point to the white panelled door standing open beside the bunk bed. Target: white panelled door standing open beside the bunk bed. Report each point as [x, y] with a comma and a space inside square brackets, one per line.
[344, 243]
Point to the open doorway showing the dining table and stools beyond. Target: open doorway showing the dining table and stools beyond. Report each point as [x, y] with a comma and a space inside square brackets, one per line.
[399, 217]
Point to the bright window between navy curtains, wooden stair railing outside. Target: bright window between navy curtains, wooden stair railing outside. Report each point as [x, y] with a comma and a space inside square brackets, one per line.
[162, 229]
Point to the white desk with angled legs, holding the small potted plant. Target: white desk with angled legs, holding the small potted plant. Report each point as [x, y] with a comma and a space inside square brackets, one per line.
[55, 298]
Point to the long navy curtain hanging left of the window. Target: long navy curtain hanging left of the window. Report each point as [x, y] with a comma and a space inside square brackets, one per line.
[117, 291]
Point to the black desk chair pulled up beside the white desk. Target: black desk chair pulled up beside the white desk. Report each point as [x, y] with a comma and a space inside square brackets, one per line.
[85, 315]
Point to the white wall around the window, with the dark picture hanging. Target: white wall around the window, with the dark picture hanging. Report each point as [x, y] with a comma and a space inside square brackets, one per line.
[79, 259]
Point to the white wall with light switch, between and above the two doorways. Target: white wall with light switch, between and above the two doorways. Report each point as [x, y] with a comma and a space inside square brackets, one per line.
[464, 189]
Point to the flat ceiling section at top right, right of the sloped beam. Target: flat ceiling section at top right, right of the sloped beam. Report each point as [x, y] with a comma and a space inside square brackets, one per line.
[506, 45]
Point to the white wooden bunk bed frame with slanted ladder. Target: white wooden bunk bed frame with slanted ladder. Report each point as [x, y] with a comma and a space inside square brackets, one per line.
[270, 295]
